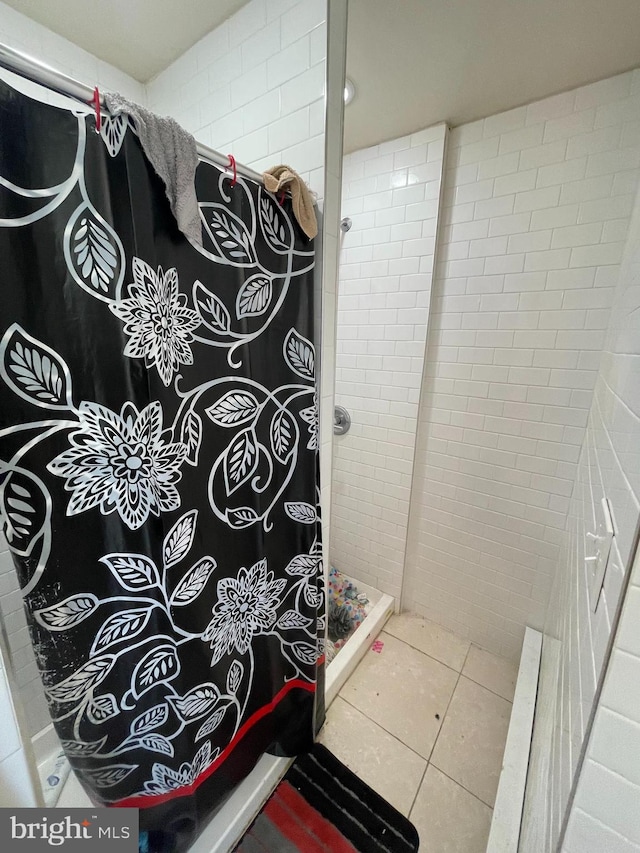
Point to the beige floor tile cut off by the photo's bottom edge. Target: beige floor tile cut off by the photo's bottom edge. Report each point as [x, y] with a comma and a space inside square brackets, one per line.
[448, 818]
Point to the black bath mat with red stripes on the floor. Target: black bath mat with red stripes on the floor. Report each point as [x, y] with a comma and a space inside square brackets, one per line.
[322, 807]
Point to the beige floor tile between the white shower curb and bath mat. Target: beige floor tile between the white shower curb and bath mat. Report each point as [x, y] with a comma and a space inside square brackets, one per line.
[375, 756]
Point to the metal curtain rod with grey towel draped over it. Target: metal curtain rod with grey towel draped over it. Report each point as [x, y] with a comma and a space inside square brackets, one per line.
[38, 72]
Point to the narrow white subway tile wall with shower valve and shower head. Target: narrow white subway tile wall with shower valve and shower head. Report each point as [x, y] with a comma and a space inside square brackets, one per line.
[391, 192]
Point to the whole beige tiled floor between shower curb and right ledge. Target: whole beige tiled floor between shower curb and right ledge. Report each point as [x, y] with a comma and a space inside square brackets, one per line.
[424, 722]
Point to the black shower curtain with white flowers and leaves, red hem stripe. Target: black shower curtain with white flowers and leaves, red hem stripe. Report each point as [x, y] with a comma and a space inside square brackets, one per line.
[159, 486]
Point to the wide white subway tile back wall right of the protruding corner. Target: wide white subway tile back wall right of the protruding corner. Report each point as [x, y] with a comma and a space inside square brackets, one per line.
[537, 203]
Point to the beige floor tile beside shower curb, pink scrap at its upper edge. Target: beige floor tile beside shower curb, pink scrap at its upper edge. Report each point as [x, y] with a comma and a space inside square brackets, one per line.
[402, 690]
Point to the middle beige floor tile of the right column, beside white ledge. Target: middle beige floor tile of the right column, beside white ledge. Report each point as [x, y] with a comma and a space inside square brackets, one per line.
[471, 743]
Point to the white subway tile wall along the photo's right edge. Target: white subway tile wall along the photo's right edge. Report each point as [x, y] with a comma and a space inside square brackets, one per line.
[605, 813]
